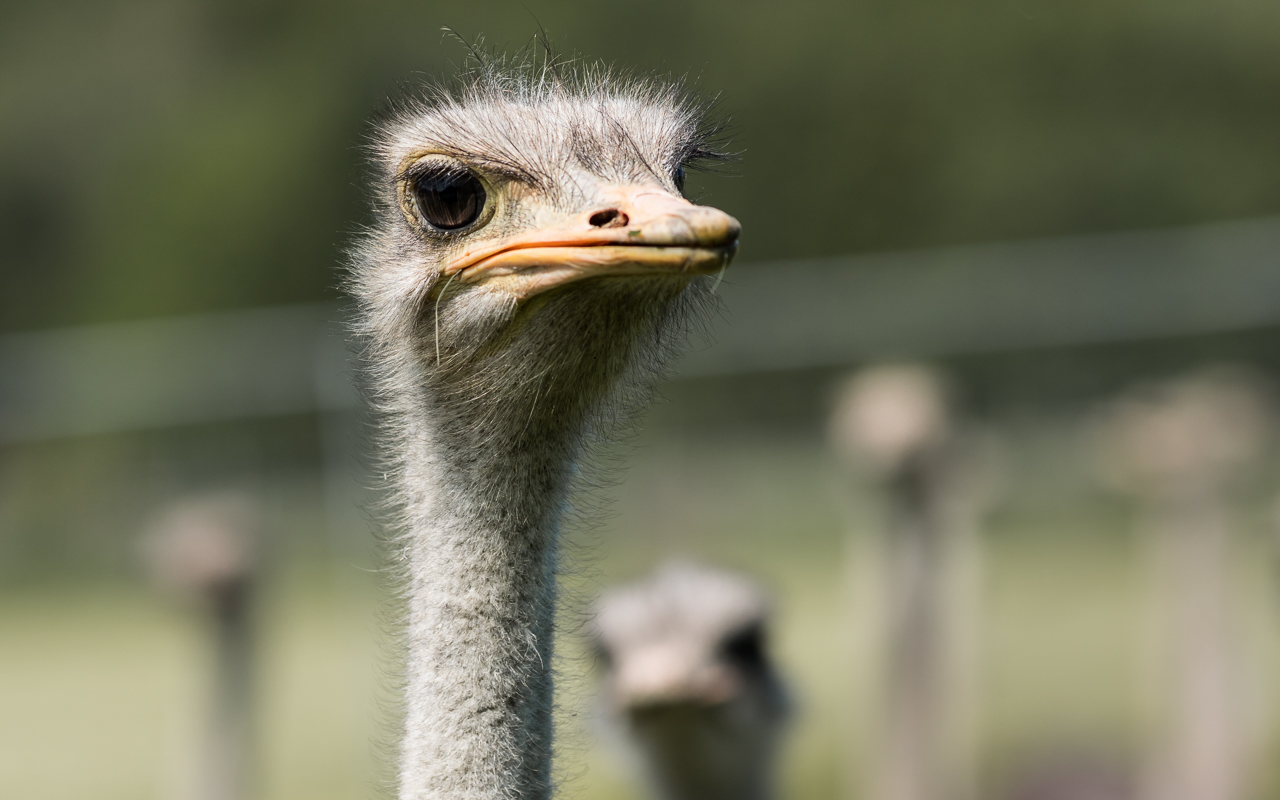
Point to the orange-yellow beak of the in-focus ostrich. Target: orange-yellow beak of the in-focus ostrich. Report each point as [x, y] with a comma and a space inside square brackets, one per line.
[644, 232]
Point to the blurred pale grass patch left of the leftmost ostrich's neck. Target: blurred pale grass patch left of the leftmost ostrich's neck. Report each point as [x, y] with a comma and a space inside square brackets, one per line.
[94, 688]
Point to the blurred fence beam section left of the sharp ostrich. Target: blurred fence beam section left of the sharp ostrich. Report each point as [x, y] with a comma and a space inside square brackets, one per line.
[173, 372]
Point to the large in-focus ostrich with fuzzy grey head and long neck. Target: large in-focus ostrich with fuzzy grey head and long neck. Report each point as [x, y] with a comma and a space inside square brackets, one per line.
[531, 269]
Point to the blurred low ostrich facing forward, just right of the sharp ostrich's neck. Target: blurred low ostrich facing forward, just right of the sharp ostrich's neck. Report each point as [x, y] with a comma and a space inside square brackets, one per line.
[691, 682]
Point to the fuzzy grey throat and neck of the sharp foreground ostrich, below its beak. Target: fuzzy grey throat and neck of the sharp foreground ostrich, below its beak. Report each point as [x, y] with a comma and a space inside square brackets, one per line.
[487, 445]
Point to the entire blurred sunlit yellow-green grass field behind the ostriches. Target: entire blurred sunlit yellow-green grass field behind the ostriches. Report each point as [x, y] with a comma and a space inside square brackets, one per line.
[103, 685]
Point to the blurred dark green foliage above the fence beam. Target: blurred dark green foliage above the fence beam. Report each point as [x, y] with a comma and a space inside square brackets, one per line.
[161, 157]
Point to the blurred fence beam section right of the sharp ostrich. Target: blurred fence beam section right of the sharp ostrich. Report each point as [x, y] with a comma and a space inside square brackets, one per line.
[988, 299]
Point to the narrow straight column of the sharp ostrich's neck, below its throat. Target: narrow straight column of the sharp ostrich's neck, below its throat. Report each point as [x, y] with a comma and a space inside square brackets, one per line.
[482, 557]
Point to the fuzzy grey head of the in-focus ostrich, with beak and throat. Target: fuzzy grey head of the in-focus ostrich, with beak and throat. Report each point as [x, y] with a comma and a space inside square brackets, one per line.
[533, 245]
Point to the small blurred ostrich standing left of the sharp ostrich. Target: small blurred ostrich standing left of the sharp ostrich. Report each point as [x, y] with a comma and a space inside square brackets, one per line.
[204, 551]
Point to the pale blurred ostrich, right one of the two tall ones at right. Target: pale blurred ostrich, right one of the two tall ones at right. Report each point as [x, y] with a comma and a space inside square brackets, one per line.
[1178, 449]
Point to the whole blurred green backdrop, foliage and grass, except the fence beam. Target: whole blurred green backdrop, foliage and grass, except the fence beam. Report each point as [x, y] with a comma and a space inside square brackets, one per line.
[173, 158]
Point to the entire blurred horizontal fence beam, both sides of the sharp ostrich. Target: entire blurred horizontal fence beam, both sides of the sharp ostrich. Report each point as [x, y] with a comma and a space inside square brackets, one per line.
[776, 317]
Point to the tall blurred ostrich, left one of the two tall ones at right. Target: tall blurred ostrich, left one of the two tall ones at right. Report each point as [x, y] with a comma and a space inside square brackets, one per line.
[894, 427]
